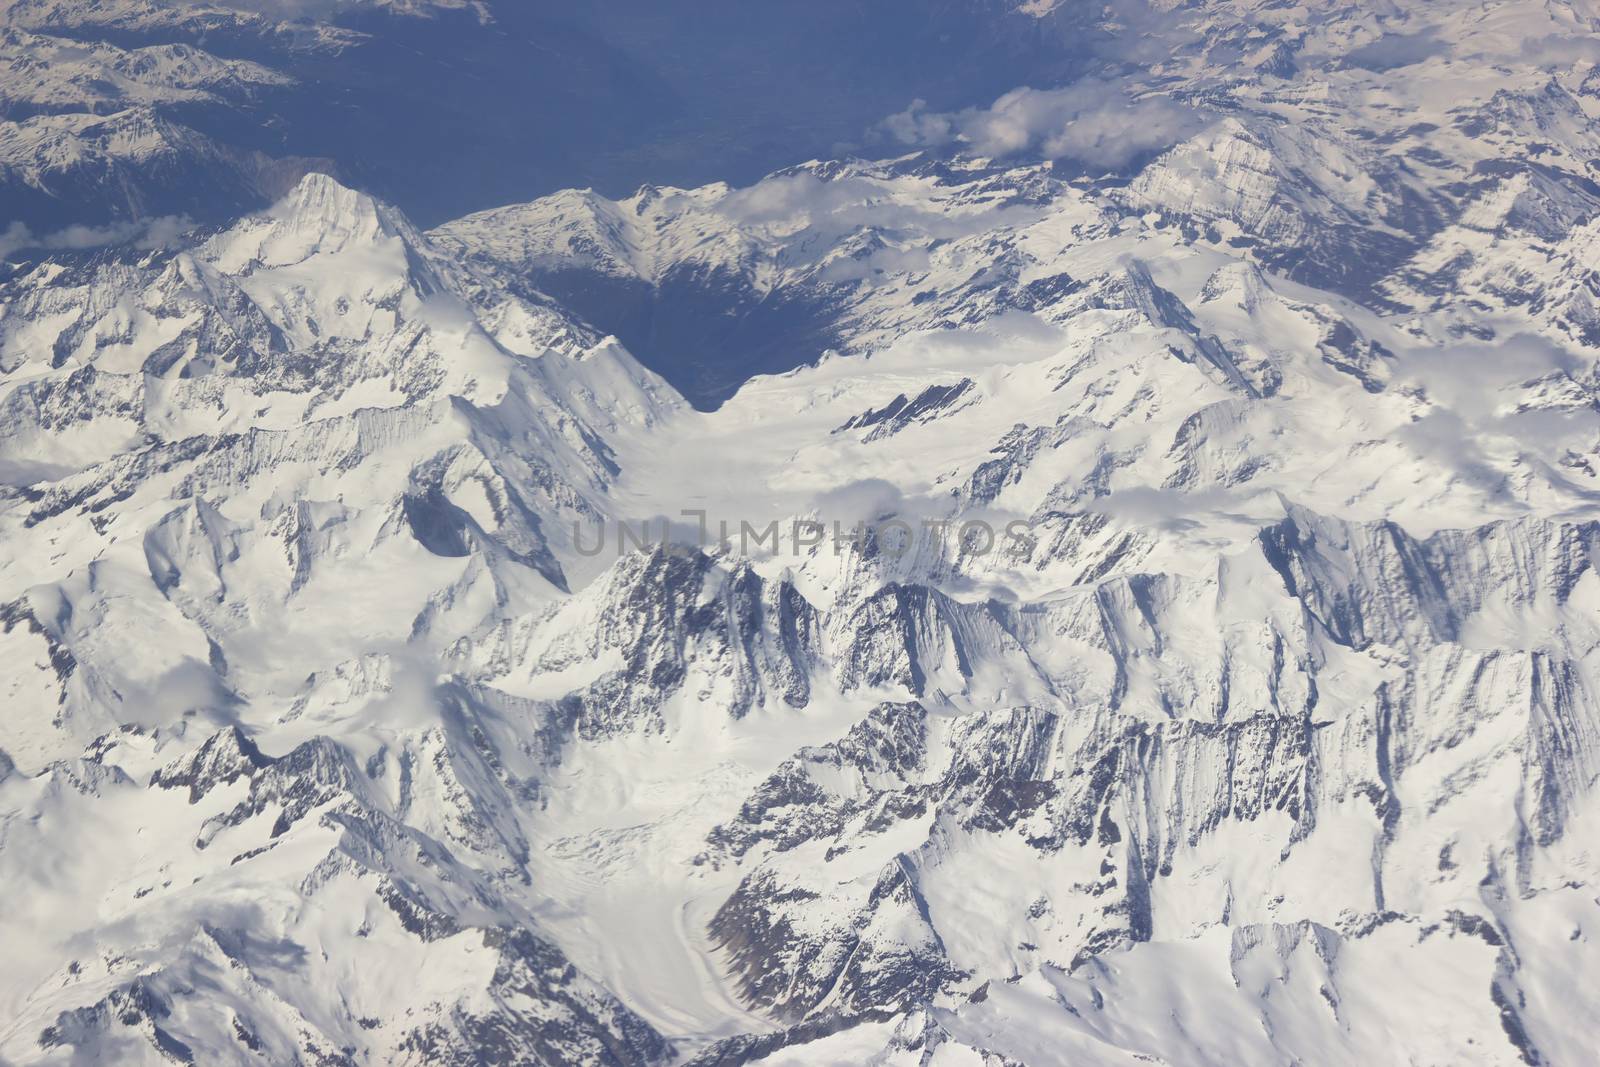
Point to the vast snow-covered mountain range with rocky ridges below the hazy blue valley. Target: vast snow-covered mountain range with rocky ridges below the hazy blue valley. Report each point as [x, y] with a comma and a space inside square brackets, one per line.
[959, 609]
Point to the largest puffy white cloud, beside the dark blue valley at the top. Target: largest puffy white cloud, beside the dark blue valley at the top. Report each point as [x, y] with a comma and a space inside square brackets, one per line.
[1092, 122]
